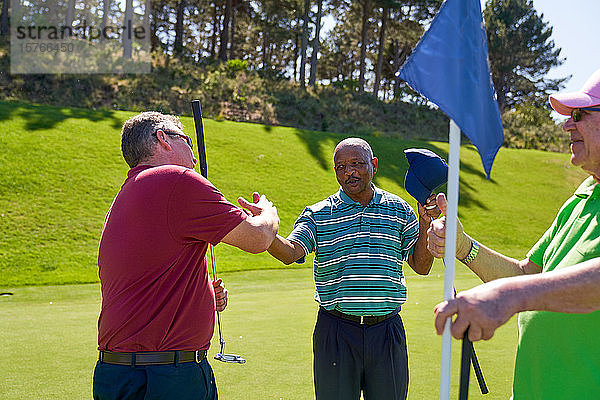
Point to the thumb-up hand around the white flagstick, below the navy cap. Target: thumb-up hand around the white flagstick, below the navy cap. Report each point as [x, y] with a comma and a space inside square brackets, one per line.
[436, 234]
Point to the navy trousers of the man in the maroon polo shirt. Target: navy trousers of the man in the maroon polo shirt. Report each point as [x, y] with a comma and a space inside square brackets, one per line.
[186, 381]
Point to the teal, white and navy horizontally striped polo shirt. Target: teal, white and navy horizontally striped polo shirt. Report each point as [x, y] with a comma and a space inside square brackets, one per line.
[359, 251]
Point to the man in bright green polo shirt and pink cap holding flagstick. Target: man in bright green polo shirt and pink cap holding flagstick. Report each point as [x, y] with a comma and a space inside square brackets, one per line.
[556, 289]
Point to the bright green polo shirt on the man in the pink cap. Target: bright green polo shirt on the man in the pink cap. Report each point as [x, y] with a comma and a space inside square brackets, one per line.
[559, 354]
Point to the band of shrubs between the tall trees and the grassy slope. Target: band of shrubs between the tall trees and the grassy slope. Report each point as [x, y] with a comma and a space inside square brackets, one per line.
[234, 91]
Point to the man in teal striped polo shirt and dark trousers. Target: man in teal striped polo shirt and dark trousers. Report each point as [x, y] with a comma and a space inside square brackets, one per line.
[361, 236]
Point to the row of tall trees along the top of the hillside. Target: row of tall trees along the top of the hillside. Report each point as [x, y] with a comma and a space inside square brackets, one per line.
[358, 45]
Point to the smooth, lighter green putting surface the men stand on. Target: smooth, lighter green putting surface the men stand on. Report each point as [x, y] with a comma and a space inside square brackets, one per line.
[49, 340]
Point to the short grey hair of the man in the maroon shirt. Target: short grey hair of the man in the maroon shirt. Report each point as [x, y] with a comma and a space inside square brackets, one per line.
[138, 137]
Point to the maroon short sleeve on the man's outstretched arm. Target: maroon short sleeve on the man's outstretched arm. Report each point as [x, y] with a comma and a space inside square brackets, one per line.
[198, 211]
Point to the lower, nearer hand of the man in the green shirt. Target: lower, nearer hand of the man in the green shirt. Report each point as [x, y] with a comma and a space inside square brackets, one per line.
[482, 309]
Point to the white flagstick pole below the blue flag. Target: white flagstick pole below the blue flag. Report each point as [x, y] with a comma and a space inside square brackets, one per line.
[449, 258]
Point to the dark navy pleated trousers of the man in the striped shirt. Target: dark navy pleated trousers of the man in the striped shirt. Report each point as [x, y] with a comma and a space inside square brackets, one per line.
[350, 358]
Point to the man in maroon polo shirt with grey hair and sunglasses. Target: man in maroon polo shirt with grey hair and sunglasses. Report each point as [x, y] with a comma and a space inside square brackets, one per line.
[158, 302]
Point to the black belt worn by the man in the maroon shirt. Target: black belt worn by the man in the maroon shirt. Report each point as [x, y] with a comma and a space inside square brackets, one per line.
[152, 357]
